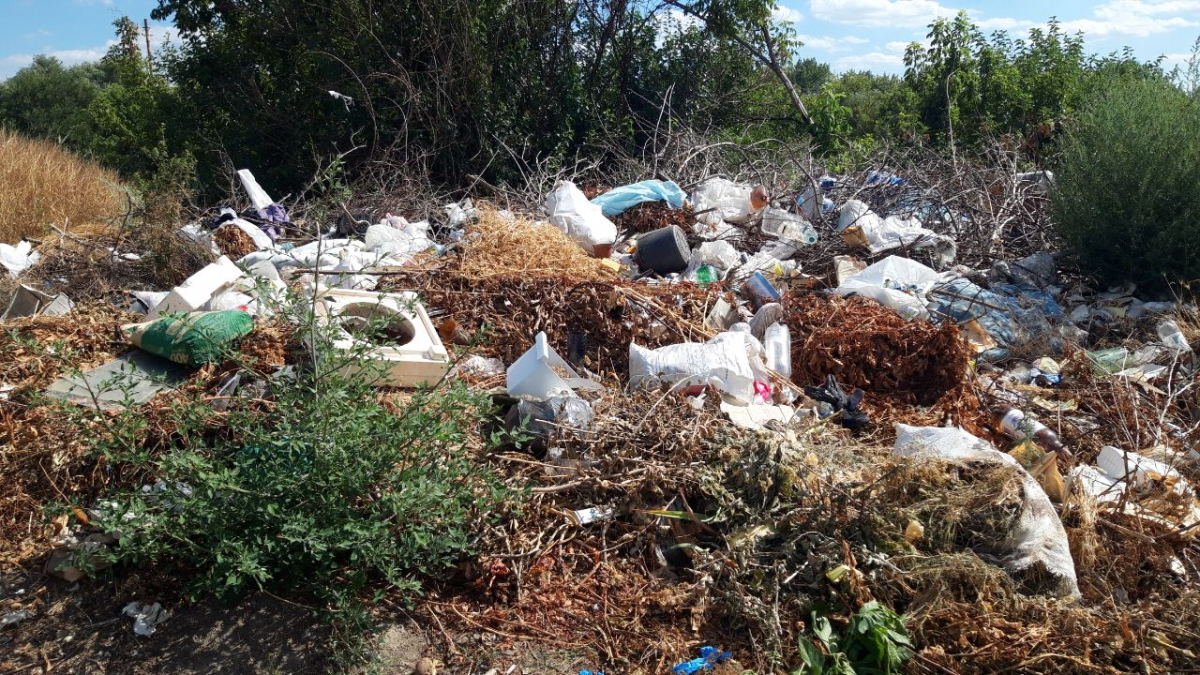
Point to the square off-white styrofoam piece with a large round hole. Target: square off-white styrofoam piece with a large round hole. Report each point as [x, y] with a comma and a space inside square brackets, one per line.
[421, 361]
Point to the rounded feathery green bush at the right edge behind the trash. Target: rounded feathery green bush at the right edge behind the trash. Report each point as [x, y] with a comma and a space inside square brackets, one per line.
[1129, 186]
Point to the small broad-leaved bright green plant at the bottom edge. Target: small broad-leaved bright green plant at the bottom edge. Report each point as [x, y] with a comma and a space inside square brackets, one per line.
[874, 643]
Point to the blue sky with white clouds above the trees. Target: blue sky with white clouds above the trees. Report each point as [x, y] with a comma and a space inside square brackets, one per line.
[848, 34]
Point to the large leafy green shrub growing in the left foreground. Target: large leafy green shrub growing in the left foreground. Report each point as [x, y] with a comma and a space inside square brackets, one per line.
[325, 488]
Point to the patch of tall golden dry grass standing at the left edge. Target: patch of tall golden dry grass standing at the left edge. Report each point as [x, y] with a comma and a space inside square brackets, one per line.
[41, 183]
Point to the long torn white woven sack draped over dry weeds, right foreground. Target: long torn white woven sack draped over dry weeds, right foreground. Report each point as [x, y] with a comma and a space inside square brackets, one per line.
[1039, 537]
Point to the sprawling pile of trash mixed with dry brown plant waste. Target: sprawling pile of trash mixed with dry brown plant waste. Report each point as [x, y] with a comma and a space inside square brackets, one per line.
[699, 396]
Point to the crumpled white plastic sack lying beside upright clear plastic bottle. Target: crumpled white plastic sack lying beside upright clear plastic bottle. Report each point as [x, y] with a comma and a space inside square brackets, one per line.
[733, 362]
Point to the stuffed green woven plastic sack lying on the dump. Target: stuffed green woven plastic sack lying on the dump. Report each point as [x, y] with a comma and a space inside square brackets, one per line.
[191, 339]
